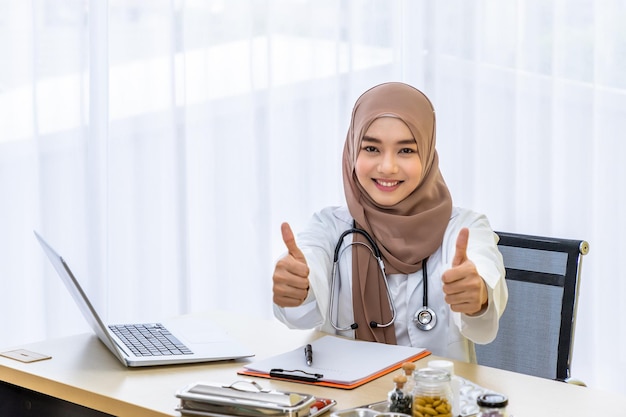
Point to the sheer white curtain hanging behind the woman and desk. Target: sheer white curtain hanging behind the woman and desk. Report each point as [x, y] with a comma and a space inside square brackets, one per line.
[158, 145]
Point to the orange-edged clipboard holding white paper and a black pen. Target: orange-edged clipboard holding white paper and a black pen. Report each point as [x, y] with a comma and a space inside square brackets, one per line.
[337, 362]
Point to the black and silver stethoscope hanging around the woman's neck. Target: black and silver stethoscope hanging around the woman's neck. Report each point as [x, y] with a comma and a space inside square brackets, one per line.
[424, 318]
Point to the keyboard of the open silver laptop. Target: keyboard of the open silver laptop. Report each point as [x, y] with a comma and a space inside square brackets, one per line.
[151, 339]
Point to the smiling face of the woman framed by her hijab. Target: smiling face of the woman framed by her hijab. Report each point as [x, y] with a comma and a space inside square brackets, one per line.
[387, 165]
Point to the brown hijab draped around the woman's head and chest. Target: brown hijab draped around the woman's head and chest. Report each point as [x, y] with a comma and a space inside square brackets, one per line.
[407, 232]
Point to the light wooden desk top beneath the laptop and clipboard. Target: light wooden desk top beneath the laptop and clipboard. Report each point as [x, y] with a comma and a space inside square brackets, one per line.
[84, 372]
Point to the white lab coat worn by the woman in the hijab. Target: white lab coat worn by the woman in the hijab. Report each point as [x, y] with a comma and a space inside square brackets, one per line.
[453, 334]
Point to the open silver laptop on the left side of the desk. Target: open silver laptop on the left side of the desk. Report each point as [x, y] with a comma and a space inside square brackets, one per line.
[185, 339]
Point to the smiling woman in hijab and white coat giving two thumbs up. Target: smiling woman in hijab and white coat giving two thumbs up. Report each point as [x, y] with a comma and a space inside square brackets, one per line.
[399, 264]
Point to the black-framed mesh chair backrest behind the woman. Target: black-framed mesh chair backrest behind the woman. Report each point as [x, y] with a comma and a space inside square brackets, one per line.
[536, 332]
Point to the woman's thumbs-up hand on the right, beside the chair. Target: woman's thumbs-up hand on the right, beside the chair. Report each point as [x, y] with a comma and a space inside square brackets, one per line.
[465, 291]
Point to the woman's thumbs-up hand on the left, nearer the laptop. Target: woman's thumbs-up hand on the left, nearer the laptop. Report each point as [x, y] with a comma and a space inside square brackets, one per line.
[291, 274]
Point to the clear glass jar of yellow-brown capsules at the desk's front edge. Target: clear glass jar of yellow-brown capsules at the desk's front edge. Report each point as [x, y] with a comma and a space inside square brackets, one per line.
[432, 394]
